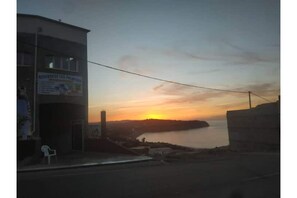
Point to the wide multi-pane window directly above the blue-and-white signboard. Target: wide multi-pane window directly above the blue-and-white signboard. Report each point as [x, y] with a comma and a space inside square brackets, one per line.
[62, 63]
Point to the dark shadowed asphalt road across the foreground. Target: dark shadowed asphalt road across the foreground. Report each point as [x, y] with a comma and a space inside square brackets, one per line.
[225, 175]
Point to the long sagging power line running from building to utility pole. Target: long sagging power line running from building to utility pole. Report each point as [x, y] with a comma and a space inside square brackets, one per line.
[141, 75]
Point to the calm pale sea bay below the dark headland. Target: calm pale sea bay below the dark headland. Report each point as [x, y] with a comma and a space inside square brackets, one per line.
[210, 137]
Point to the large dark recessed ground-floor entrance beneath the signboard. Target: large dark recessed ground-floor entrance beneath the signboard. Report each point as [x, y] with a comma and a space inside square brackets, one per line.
[57, 128]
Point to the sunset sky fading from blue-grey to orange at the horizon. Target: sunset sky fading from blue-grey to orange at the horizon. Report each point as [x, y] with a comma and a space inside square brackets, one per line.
[224, 44]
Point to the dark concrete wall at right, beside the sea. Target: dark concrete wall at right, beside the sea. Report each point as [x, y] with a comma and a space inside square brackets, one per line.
[255, 129]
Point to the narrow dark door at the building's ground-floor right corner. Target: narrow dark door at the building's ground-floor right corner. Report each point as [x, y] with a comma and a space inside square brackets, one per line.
[77, 127]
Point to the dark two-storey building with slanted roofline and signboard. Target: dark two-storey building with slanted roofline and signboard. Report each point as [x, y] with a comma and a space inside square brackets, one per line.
[52, 83]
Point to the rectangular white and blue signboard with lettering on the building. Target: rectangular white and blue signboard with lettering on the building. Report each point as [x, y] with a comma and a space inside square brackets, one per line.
[59, 84]
